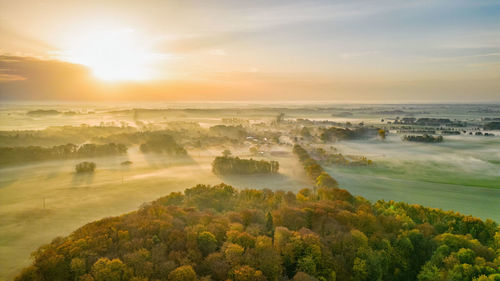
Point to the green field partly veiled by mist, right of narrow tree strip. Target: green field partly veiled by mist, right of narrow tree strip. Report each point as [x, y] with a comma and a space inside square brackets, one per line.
[460, 174]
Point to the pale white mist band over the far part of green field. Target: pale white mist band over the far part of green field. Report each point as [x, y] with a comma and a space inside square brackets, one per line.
[458, 154]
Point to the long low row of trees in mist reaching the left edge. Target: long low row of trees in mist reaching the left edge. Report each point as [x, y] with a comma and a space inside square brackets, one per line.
[25, 154]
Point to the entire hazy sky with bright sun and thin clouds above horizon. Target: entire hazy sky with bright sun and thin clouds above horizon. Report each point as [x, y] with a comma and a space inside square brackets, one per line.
[345, 50]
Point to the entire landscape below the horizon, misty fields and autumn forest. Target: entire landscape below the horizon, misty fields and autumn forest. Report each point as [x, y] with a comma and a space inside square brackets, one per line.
[249, 191]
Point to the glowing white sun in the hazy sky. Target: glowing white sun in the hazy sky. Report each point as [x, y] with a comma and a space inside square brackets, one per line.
[112, 55]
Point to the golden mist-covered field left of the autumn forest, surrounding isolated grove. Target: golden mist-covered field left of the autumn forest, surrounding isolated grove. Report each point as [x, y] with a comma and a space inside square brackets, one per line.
[41, 201]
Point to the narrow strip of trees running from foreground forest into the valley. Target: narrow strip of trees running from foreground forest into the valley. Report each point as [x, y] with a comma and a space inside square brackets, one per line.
[313, 169]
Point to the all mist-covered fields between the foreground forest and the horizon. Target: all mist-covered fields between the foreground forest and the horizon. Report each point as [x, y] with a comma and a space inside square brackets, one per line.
[42, 196]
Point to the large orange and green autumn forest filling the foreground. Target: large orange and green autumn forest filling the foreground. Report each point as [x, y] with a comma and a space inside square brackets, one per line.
[220, 233]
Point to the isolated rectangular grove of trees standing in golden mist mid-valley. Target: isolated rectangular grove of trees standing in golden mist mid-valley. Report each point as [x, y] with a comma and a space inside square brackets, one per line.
[226, 165]
